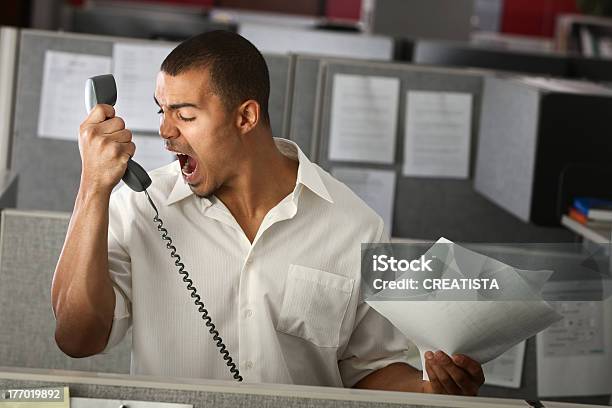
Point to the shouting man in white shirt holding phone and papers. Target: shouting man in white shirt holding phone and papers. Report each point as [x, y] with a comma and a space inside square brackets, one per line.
[270, 240]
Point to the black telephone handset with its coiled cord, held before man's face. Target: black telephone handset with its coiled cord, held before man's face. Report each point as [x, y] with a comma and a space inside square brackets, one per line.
[103, 89]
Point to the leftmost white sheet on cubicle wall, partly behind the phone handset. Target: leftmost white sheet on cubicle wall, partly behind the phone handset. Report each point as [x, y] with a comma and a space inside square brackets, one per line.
[62, 99]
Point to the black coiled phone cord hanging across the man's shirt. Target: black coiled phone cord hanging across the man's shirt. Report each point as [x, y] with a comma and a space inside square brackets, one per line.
[194, 294]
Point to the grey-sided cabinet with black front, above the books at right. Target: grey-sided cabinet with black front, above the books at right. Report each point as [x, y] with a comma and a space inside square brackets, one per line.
[528, 160]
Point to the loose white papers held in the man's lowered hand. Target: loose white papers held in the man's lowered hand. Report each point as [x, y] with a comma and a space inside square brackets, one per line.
[480, 329]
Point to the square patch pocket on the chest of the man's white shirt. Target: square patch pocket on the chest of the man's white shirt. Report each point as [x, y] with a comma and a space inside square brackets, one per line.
[314, 305]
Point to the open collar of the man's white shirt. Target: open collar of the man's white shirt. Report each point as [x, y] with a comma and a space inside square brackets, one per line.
[308, 175]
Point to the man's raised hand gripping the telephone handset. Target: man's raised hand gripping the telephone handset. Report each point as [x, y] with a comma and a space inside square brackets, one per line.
[105, 146]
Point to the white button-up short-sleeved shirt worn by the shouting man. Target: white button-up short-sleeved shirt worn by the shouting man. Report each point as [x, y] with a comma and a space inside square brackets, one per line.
[287, 306]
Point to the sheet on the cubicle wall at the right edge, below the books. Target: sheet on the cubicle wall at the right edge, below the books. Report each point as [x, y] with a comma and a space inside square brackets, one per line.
[574, 357]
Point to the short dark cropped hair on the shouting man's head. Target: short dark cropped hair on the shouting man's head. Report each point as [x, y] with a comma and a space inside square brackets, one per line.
[237, 69]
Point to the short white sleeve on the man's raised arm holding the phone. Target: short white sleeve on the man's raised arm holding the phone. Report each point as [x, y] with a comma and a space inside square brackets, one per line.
[119, 265]
